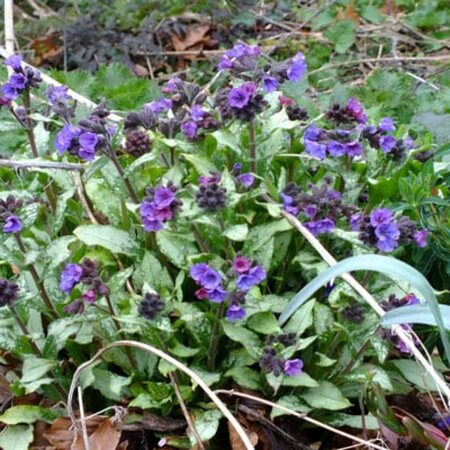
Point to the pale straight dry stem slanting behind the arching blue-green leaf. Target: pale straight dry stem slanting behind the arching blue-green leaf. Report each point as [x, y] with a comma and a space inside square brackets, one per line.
[404, 335]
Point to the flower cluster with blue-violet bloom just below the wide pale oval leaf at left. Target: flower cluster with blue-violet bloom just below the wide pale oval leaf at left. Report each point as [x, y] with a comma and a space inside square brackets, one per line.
[85, 273]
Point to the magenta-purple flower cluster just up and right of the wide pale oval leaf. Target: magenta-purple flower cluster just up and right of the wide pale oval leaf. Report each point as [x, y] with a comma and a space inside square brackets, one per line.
[159, 206]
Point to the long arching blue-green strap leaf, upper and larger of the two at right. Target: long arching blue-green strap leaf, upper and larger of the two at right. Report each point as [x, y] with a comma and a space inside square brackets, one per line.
[383, 264]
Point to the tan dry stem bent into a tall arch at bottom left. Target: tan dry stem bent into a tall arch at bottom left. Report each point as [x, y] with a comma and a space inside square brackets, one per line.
[148, 348]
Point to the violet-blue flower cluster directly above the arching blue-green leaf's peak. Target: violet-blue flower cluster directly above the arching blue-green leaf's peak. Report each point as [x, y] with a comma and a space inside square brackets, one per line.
[380, 229]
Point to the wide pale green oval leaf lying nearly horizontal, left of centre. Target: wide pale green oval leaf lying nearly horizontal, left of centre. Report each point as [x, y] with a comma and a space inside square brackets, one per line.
[107, 236]
